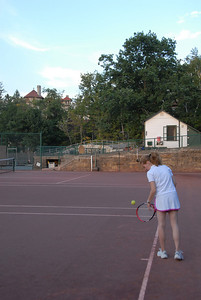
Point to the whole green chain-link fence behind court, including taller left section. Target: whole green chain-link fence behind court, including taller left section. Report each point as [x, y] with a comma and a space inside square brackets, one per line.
[28, 151]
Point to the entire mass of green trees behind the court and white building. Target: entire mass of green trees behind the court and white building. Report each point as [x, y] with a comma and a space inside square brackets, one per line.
[144, 78]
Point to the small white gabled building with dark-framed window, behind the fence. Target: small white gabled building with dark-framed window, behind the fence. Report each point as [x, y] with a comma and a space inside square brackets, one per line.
[163, 130]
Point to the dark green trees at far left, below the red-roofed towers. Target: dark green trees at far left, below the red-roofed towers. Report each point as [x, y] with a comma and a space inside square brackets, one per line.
[42, 116]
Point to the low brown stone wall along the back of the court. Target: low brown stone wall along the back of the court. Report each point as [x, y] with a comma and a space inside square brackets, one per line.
[183, 160]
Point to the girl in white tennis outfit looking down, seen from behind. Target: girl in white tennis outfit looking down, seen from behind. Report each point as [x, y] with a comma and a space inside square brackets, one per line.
[163, 187]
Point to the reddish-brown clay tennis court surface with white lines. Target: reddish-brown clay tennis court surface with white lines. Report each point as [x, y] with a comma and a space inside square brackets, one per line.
[74, 235]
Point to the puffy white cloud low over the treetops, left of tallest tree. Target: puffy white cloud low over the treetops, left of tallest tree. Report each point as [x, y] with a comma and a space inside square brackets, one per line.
[59, 77]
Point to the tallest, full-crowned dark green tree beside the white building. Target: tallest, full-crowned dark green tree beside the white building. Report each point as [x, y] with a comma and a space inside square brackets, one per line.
[140, 76]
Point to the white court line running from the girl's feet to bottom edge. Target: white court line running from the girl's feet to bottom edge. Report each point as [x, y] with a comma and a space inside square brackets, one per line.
[148, 268]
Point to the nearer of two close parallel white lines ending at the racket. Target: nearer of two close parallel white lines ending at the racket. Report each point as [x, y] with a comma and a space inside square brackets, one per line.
[63, 214]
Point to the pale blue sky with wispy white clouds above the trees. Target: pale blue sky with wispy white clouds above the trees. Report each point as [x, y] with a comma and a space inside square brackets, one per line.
[50, 43]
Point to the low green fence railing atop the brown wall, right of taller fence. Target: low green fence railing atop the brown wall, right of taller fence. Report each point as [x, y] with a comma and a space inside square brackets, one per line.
[131, 145]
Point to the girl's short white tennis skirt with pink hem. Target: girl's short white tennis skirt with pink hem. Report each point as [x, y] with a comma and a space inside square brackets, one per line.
[168, 201]
